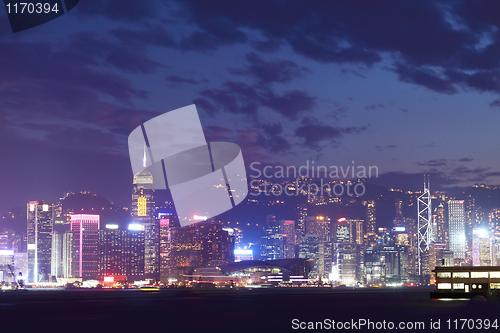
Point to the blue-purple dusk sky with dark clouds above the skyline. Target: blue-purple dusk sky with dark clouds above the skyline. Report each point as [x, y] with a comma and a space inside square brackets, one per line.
[409, 86]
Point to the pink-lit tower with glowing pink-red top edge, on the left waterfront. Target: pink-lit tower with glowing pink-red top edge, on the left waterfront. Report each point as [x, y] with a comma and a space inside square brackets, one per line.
[85, 228]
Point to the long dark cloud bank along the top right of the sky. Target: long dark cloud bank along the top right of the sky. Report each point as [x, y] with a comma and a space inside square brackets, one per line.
[427, 48]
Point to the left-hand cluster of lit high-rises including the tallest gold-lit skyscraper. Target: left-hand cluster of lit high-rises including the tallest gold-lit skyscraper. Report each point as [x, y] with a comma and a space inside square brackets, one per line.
[63, 245]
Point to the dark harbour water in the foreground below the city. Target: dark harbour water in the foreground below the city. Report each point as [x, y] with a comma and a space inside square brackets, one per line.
[269, 310]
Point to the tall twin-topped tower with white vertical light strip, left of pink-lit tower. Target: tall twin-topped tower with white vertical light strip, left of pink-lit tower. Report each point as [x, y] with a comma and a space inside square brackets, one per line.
[39, 237]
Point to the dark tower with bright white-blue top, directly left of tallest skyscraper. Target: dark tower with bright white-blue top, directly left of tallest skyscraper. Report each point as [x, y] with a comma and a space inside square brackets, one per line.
[134, 251]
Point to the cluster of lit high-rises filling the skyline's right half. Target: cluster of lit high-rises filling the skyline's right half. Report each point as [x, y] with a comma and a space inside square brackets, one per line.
[356, 252]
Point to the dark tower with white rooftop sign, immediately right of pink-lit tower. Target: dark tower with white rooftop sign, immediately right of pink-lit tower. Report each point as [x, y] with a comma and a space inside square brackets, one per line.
[111, 261]
